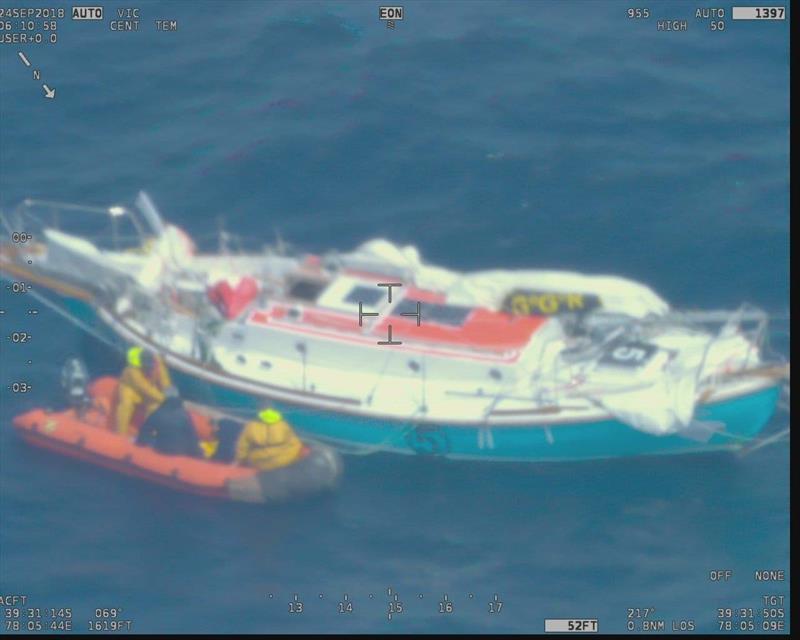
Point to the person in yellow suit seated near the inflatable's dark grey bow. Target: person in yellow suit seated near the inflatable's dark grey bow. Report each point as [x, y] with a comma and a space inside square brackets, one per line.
[267, 443]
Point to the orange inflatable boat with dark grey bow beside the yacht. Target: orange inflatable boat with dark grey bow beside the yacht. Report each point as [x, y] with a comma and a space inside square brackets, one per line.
[87, 436]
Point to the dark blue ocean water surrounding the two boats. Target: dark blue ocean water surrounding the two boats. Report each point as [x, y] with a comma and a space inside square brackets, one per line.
[513, 134]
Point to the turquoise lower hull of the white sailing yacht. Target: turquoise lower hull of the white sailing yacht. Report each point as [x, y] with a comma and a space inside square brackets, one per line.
[744, 417]
